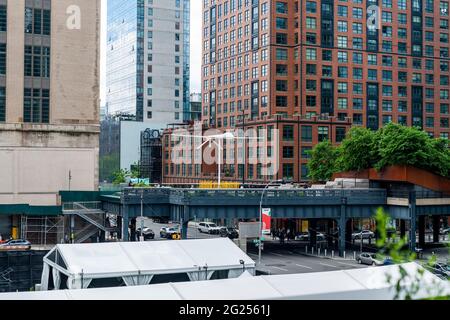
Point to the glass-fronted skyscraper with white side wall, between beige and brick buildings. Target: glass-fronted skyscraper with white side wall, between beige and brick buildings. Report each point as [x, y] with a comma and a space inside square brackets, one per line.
[148, 59]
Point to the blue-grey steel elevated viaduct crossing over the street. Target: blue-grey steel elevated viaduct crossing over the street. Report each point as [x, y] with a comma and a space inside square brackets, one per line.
[340, 205]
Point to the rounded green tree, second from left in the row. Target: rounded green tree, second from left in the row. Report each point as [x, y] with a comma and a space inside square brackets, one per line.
[358, 151]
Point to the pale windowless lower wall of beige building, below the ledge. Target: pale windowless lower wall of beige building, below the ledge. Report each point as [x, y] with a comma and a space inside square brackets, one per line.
[35, 161]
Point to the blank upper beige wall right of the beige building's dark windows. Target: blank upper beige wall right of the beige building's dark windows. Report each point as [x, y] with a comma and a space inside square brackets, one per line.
[75, 64]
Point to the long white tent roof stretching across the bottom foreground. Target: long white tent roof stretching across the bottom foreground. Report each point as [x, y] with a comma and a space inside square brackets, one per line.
[357, 284]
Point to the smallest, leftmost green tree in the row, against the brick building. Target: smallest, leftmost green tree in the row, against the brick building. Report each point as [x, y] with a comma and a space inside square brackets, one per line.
[323, 162]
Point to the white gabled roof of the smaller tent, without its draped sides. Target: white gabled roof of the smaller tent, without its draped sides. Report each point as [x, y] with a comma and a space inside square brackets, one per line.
[152, 257]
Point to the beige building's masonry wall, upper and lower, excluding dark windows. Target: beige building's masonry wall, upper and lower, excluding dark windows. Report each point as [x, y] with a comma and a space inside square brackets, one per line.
[35, 159]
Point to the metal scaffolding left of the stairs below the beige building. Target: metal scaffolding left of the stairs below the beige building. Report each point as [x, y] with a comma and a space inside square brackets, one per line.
[43, 231]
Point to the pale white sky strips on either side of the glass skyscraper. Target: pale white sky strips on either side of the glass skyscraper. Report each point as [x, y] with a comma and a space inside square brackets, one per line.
[196, 48]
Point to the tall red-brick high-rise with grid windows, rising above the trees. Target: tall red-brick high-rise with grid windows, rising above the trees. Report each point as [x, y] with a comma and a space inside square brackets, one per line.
[363, 62]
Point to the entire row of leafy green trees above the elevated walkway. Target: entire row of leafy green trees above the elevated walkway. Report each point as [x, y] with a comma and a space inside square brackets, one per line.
[392, 145]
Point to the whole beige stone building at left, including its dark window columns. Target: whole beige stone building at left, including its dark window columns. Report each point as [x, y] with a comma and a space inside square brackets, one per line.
[49, 101]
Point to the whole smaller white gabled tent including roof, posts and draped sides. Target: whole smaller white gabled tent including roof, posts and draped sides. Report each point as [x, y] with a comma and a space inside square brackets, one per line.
[138, 262]
